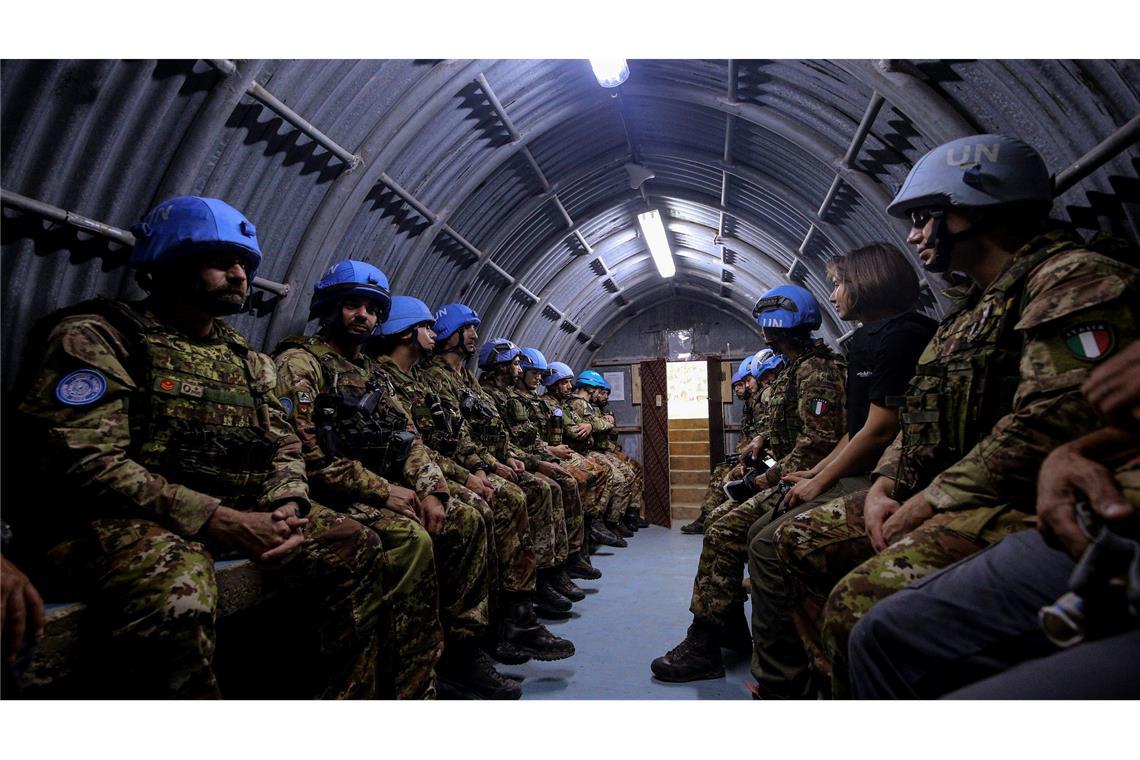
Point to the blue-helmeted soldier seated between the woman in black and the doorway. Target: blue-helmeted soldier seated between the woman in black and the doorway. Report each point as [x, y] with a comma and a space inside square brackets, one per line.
[804, 423]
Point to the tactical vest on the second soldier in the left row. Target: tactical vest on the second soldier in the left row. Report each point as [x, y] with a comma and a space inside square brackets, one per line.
[354, 415]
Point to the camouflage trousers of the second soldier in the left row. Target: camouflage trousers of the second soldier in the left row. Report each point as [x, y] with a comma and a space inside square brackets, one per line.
[413, 595]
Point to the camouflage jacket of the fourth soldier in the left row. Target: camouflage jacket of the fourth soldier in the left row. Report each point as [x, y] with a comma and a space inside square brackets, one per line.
[488, 432]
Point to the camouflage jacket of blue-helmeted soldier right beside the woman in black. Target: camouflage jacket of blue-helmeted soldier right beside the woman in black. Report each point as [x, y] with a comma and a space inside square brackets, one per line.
[805, 412]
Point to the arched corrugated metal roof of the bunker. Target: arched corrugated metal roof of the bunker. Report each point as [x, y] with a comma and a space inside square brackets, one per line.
[507, 184]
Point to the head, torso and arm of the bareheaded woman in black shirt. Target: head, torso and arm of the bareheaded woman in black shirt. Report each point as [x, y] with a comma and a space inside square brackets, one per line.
[875, 285]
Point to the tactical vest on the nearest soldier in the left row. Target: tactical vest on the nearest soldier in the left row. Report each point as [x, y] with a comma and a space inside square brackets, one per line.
[198, 416]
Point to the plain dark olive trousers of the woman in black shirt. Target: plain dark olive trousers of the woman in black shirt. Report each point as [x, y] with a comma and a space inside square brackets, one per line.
[780, 665]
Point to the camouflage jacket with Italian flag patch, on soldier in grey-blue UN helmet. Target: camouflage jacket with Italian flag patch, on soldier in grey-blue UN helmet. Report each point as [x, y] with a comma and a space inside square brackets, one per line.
[999, 385]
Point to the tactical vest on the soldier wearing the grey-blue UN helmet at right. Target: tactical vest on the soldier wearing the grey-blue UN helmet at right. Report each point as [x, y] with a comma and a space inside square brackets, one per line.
[967, 377]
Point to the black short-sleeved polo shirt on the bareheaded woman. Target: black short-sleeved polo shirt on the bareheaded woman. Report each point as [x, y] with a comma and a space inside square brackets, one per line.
[881, 362]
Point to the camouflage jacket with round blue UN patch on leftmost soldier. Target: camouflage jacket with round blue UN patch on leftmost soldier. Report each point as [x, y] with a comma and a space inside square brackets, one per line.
[145, 422]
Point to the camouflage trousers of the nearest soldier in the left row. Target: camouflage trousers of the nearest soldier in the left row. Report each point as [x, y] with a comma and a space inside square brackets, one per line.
[153, 595]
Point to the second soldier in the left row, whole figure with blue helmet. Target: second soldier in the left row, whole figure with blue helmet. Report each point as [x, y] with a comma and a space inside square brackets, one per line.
[367, 460]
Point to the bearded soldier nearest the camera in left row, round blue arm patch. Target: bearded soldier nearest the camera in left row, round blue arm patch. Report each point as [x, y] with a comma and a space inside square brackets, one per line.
[165, 436]
